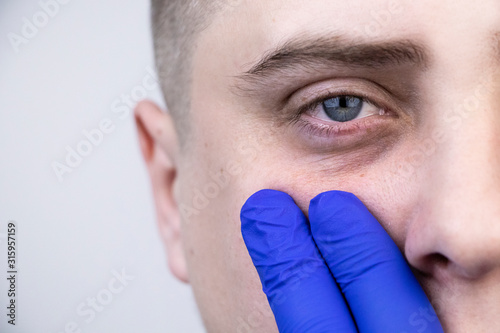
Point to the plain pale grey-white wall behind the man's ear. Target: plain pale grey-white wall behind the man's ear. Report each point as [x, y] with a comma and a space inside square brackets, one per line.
[72, 234]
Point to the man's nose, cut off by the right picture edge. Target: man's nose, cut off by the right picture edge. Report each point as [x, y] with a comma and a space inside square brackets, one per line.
[455, 230]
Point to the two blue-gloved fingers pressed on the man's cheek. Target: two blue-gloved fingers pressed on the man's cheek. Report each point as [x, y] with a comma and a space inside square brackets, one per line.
[338, 272]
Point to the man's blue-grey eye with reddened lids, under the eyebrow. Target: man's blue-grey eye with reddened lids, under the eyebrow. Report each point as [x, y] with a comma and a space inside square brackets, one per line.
[344, 111]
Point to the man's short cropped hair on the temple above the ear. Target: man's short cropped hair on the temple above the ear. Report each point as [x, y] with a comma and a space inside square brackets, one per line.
[176, 25]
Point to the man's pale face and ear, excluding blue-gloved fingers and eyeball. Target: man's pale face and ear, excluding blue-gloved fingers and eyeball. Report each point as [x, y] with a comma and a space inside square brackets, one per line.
[423, 157]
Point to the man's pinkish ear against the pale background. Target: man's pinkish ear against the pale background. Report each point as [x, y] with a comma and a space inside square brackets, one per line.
[158, 141]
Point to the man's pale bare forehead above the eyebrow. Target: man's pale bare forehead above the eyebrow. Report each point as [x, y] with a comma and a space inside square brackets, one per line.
[246, 30]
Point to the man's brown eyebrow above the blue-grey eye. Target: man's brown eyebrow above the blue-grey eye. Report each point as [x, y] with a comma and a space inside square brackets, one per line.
[311, 53]
